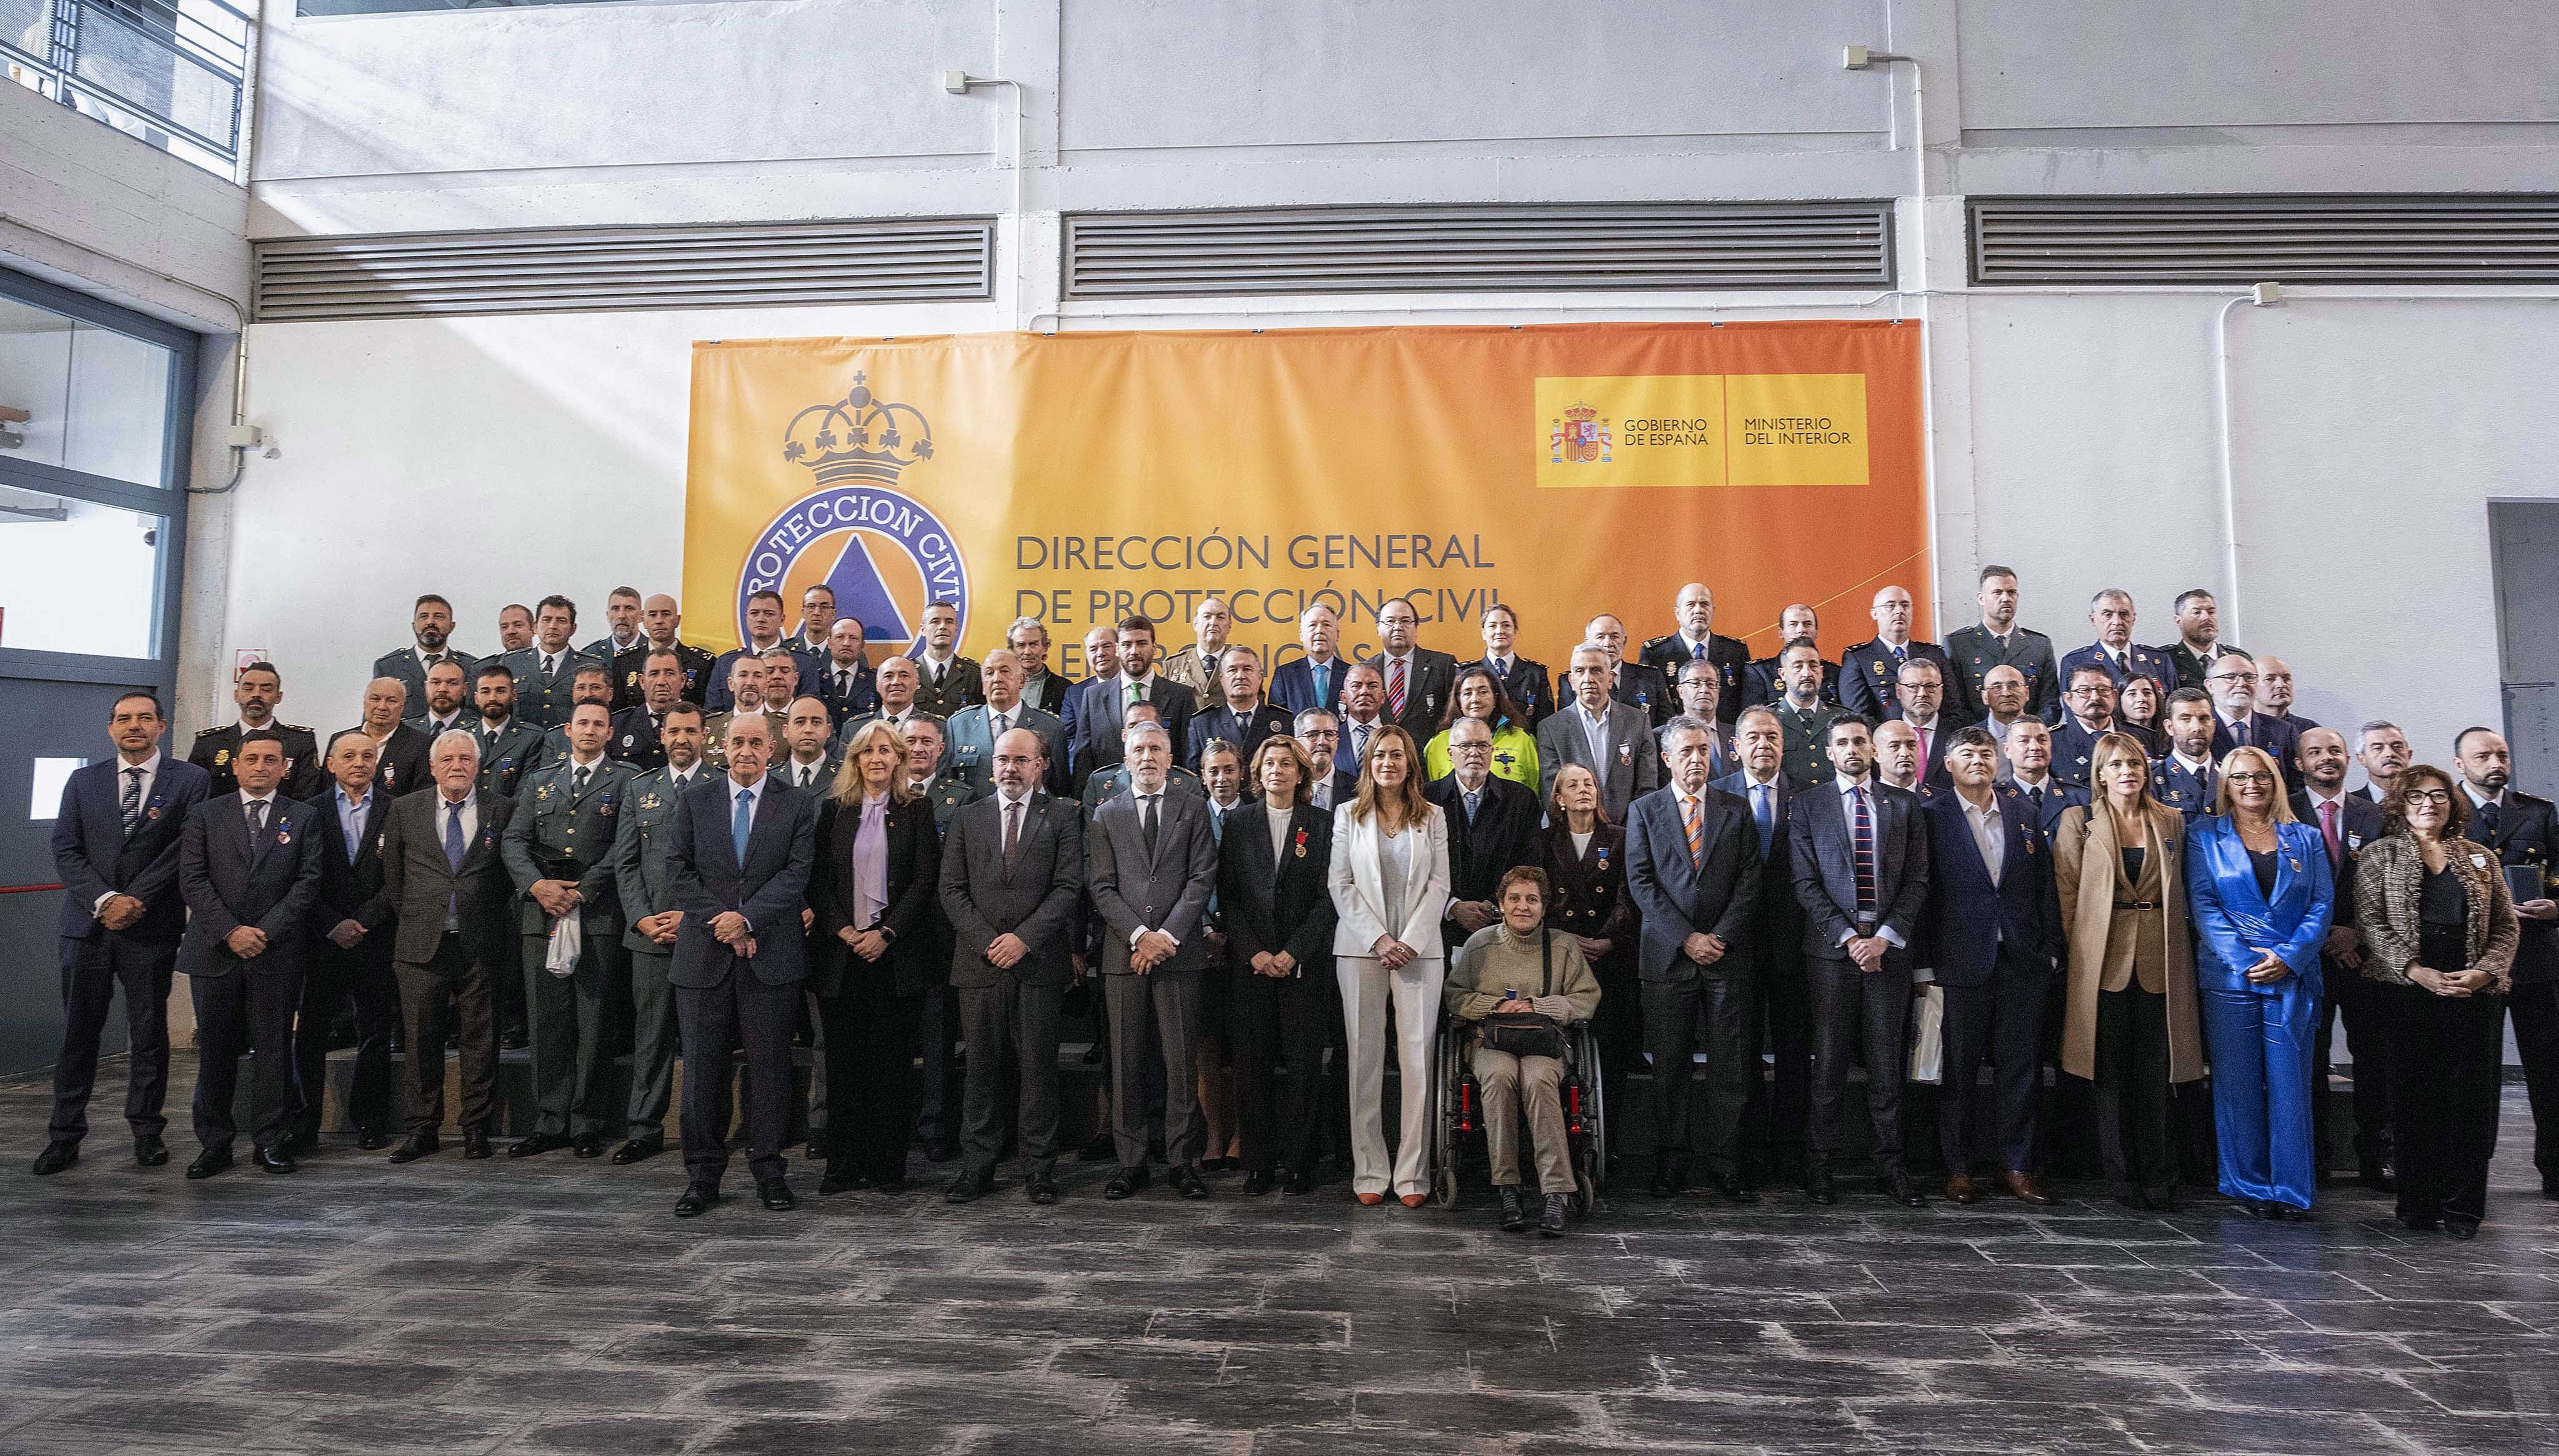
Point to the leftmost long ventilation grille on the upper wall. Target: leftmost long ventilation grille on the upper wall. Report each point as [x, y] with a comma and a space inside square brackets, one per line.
[574, 270]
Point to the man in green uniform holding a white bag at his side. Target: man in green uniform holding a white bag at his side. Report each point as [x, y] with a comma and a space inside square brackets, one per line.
[559, 851]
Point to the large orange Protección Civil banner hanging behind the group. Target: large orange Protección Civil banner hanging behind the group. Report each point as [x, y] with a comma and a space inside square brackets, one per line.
[1081, 477]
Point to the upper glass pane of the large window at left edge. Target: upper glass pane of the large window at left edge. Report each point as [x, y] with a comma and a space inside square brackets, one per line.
[96, 400]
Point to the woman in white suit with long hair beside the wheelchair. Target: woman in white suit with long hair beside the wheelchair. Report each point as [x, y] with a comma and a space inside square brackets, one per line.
[1391, 884]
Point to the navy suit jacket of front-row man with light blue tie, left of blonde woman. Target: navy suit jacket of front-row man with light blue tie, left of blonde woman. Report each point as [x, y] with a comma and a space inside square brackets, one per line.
[772, 889]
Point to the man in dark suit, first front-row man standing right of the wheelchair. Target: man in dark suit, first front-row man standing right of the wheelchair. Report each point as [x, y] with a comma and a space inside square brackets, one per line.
[1693, 866]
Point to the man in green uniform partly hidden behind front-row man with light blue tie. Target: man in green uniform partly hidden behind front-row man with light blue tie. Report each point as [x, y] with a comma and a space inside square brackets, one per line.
[649, 907]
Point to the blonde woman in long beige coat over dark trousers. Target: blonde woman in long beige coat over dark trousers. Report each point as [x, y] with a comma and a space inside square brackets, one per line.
[2130, 1022]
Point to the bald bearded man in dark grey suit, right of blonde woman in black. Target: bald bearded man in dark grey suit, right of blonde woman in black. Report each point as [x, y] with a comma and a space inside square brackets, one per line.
[1012, 879]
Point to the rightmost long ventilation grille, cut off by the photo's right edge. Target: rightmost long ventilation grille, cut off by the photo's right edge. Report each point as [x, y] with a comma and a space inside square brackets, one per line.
[2412, 239]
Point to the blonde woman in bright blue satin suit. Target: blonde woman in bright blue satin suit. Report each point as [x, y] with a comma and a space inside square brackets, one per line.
[2261, 902]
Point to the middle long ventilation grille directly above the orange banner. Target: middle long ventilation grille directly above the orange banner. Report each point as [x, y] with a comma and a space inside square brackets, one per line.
[1483, 249]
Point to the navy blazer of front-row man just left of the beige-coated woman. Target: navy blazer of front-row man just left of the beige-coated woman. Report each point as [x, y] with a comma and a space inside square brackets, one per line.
[1972, 917]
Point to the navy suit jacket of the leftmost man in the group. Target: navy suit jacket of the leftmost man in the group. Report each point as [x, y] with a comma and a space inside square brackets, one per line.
[96, 859]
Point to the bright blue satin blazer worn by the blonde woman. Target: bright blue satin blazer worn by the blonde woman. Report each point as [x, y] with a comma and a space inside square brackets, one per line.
[2235, 922]
